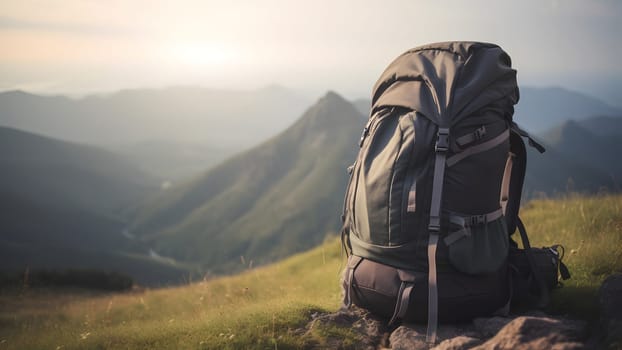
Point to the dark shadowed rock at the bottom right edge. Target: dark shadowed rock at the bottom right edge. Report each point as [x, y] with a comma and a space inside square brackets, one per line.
[610, 303]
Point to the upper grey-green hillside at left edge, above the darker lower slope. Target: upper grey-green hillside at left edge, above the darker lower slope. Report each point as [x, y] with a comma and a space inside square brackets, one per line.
[48, 170]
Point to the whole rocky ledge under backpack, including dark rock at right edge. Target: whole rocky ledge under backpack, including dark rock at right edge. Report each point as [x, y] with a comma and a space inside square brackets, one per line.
[533, 330]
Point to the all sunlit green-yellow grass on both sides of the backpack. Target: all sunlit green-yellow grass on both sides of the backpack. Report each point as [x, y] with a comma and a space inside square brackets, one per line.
[262, 307]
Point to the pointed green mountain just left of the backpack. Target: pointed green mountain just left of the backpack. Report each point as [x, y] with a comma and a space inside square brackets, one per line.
[267, 203]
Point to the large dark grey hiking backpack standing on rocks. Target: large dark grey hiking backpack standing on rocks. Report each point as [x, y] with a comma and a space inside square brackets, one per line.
[435, 190]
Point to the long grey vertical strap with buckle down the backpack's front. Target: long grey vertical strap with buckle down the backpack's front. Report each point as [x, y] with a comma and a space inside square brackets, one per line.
[434, 228]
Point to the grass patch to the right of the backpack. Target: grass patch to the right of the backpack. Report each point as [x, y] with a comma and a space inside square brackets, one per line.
[590, 229]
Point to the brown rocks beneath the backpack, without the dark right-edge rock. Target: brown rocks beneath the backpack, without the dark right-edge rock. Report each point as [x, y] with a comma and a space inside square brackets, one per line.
[364, 331]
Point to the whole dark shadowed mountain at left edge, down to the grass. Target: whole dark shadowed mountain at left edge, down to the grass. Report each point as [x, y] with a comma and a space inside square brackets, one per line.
[64, 205]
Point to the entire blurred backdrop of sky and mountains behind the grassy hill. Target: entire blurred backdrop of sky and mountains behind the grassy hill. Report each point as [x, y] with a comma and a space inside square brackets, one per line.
[171, 140]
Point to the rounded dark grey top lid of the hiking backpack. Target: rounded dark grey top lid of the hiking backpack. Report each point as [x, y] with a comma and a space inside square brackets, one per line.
[448, 81]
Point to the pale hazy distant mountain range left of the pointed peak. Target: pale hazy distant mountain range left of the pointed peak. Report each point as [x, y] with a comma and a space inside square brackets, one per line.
[222, 121]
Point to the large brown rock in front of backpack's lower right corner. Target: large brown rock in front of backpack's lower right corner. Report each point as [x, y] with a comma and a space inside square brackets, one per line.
[527, 332]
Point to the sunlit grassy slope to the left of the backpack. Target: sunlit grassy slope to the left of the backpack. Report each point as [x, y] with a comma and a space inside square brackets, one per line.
[259, 308]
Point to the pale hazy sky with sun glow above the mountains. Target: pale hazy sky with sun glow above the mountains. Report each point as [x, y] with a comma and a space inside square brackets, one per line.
[79, 47]
